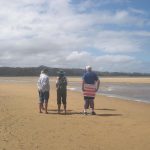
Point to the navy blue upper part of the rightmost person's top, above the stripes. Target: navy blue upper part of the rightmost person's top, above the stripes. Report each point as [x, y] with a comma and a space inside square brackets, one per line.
[90, 77]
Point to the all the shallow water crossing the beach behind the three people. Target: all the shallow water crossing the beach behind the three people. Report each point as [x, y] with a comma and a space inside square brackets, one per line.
[128, 91]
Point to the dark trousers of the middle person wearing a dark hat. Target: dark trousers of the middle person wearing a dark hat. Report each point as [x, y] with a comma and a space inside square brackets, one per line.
[61, 97]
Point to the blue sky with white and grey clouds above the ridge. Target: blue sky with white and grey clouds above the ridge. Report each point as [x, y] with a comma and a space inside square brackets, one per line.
[109, 35]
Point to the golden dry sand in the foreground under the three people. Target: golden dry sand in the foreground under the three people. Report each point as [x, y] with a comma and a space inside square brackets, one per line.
[118, 125]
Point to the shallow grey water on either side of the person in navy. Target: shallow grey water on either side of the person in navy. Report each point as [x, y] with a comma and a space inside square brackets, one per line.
[136, 92]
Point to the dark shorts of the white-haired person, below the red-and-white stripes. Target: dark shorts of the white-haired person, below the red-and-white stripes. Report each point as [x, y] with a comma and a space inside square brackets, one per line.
[88, 101]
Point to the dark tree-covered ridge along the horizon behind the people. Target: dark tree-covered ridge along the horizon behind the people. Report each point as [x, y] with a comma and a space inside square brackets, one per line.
[35, 71]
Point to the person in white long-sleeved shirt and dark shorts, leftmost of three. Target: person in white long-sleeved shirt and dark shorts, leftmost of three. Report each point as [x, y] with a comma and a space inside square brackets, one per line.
[43, 88]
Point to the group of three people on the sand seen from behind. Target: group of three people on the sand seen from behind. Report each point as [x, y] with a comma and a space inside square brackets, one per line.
[90, 85]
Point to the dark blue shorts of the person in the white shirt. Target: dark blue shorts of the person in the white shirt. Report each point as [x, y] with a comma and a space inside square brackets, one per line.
[43, 96]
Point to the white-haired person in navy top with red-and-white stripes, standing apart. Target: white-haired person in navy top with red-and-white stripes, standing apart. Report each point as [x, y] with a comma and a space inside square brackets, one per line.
[90, 86]
